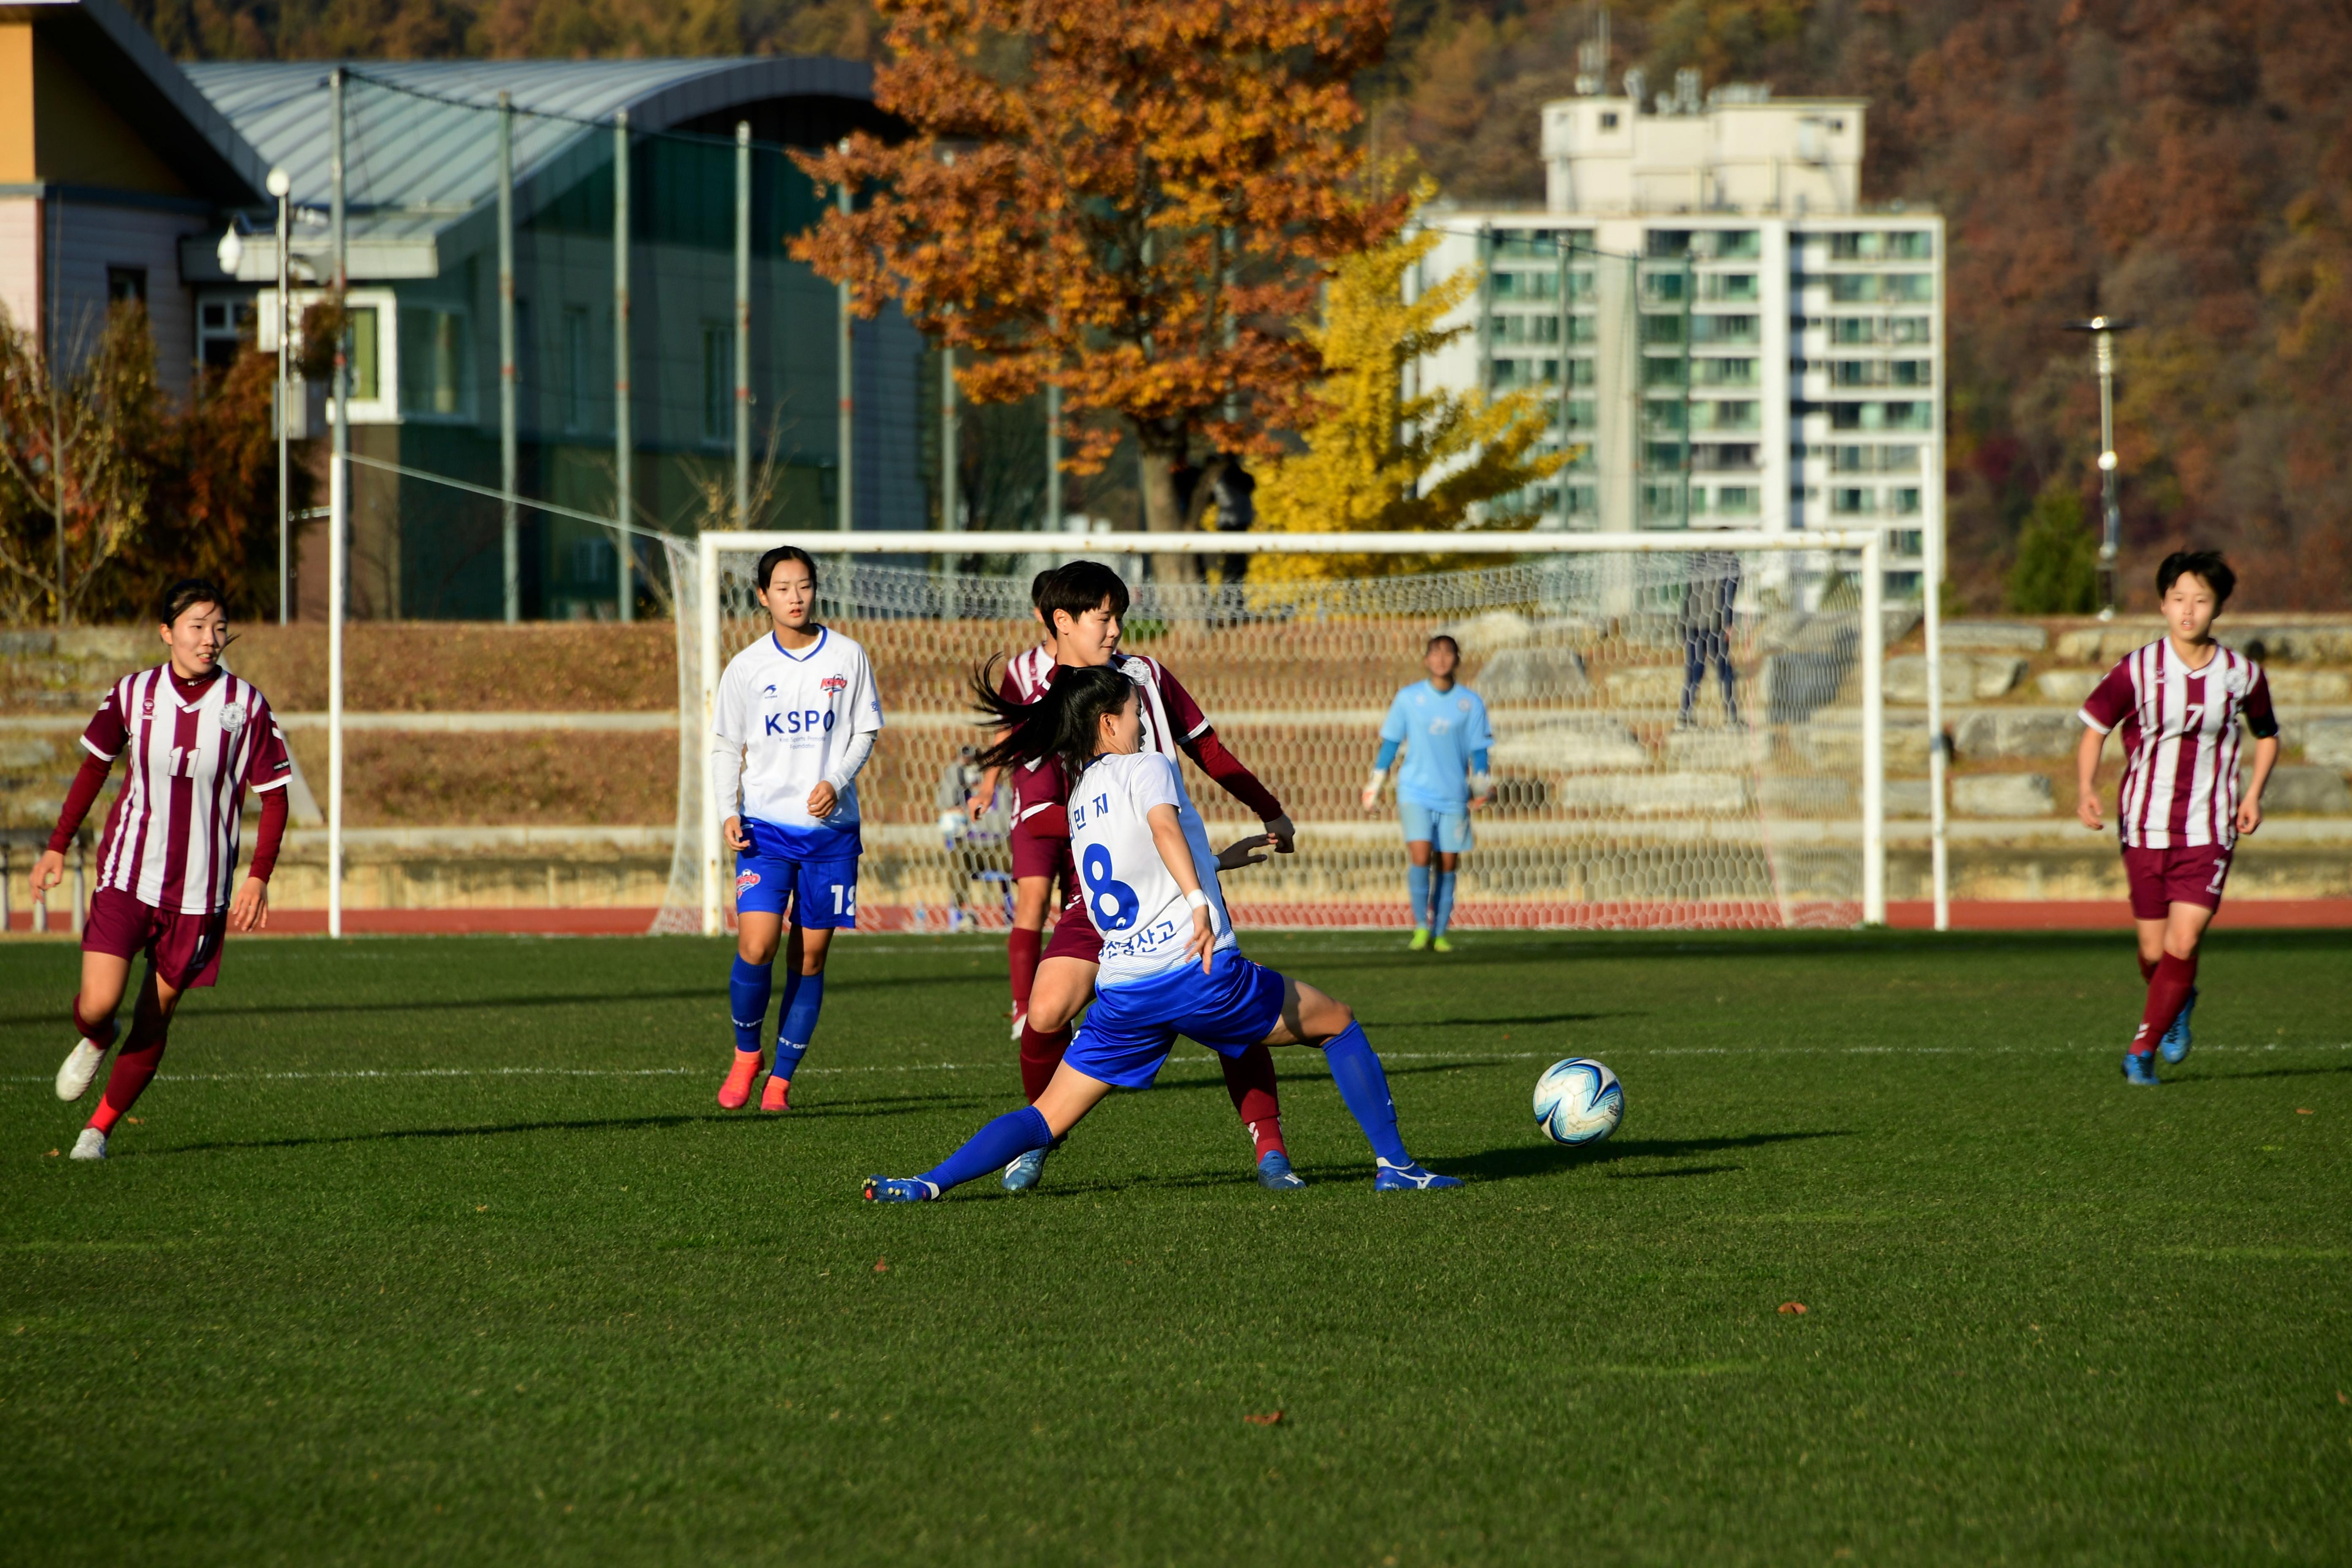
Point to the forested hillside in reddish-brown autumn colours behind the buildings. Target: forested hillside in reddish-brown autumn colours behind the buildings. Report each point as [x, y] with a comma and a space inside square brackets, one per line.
[2186, 166]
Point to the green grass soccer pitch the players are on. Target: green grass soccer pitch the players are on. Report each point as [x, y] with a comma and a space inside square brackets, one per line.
[441, 1252]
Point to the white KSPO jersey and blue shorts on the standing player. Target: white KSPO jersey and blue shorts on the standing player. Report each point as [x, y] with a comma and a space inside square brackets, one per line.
[789, 721]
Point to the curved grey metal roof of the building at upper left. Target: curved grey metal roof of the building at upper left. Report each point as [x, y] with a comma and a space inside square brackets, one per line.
[439, 154]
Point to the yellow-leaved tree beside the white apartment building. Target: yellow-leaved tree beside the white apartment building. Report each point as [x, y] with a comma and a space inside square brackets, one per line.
[1382, 462]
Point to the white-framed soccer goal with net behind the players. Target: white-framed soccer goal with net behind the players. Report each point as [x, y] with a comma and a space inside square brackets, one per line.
[1610, 810]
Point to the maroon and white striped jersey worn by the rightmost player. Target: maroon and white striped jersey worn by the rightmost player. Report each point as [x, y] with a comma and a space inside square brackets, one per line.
[2179, 742]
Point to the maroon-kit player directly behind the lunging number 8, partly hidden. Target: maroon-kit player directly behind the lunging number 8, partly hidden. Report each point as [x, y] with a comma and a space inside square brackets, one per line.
[1083, 603]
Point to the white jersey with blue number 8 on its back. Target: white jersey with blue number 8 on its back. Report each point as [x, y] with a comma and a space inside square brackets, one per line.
[1130, 894]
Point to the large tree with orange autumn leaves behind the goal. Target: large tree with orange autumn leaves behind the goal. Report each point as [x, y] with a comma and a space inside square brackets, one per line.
[1132, 201]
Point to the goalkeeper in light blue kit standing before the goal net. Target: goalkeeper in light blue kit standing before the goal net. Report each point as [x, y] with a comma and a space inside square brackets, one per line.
[1445, 737]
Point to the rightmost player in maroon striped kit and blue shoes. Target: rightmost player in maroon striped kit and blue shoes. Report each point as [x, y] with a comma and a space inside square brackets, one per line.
[2179, 808]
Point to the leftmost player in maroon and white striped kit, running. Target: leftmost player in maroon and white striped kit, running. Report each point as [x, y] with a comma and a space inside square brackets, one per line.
[194, 742]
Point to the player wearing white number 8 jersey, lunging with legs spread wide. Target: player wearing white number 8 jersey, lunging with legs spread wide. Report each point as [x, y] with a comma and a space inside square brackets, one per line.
[1170, 958]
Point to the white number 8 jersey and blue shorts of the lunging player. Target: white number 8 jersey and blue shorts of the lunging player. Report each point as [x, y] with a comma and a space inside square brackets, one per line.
[1149, 991]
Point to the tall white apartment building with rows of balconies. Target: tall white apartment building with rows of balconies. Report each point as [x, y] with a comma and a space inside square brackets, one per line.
[1720, 328]
